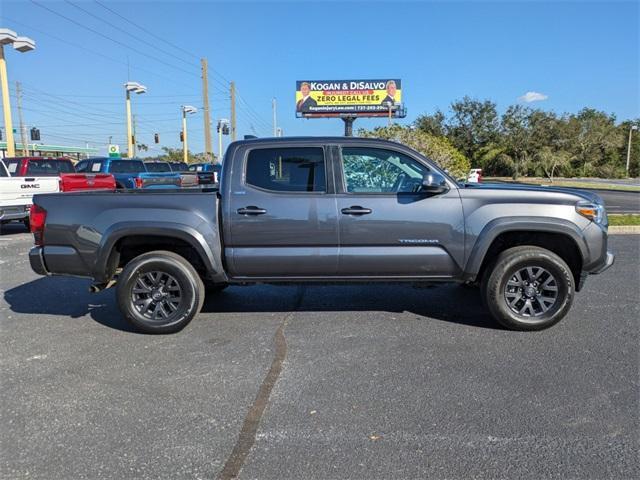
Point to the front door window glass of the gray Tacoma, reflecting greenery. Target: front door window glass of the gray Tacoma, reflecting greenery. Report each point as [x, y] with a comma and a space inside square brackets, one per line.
[375, 170]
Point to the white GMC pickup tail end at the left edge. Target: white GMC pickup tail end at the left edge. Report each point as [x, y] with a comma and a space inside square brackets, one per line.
[16, 194]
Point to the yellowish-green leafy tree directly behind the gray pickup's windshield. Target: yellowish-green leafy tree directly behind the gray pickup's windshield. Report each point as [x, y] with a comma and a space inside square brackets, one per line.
[438, 149]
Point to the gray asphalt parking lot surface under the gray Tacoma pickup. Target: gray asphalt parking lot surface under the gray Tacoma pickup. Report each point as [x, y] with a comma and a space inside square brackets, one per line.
[326, 382]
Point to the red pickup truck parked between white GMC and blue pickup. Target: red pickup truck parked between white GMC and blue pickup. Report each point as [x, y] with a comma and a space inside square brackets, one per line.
[63, 168]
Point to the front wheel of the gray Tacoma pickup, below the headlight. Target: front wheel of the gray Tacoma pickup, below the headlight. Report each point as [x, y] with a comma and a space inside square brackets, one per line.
[532, 275]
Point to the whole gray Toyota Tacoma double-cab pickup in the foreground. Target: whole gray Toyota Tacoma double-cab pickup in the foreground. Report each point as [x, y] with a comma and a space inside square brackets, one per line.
[325, 209]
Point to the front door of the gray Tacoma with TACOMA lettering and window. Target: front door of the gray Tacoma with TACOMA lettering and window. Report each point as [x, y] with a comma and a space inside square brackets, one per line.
[388, 227]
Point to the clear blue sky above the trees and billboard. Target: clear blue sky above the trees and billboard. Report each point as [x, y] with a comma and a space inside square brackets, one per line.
[558, 56]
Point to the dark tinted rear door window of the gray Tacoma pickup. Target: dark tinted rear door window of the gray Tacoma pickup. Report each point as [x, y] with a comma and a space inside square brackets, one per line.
[287, 169]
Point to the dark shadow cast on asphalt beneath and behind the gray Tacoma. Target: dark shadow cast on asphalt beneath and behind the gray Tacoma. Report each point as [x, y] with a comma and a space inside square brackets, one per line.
[67, 296]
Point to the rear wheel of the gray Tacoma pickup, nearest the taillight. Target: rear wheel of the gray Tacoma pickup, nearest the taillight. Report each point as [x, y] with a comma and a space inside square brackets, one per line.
[163, 276]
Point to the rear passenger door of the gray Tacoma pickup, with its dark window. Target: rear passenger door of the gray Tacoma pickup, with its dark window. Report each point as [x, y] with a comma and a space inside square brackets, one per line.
[280, 213]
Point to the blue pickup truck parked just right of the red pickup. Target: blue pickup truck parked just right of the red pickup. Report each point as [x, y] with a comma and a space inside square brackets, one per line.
[129, 173]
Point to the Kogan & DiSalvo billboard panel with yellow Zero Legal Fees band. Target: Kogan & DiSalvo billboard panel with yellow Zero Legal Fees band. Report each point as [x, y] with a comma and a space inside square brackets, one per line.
[361, 98]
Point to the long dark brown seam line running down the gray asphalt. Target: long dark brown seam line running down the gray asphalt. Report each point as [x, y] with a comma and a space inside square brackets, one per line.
[247, 436]
